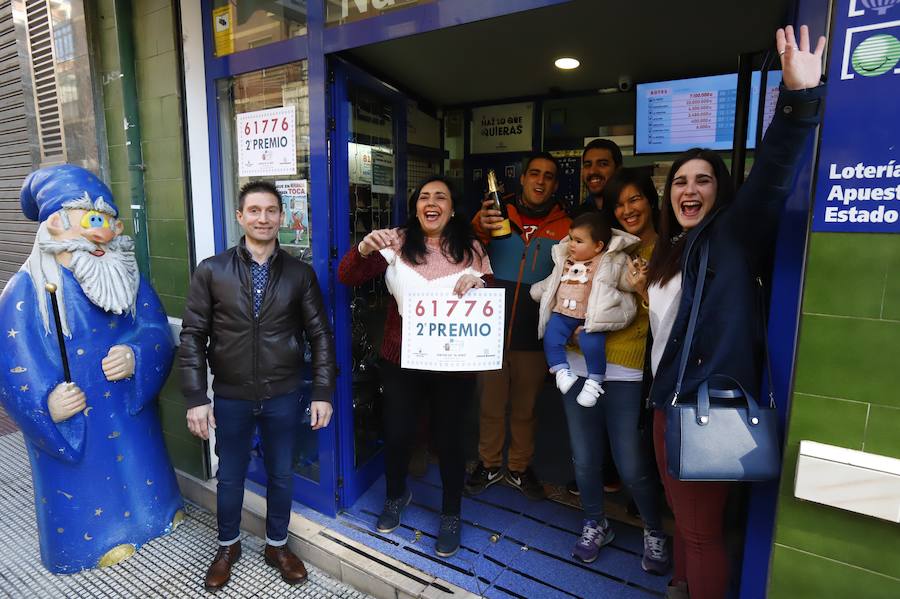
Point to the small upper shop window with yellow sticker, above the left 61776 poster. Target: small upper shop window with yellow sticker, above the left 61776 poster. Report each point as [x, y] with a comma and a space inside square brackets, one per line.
[243, 24]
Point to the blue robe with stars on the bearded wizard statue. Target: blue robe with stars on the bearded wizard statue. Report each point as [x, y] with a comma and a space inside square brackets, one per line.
[102, 478]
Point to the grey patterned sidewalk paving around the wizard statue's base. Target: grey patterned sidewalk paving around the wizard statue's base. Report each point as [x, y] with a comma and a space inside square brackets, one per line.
[171, 567]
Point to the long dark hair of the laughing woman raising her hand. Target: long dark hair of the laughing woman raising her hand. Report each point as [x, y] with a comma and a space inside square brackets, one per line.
[666, 260]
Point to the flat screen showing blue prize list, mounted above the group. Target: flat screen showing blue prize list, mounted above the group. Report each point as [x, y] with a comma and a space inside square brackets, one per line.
[673, 116]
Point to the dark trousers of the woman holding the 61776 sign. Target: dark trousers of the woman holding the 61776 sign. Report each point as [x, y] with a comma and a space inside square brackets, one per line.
[406, 393]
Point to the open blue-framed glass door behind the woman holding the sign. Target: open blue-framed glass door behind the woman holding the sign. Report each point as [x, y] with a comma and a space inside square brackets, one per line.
[369, 192]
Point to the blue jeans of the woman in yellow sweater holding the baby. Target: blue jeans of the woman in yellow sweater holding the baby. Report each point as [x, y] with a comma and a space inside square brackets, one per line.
[614, 417]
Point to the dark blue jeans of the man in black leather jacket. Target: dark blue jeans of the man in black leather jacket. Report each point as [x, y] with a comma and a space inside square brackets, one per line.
[236, 420]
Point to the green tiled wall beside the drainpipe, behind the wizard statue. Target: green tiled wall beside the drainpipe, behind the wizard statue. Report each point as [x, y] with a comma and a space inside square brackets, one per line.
[162, 145]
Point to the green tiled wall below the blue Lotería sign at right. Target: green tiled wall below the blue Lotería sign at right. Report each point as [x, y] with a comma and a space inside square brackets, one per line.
[845, 394]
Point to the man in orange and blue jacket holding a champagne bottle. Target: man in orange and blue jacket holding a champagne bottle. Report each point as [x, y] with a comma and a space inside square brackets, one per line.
[519, 232]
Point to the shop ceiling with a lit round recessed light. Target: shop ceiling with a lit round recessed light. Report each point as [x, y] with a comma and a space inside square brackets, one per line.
[512, 56]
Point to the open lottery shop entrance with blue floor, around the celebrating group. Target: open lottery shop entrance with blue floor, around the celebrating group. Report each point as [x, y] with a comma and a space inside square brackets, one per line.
[409, 107]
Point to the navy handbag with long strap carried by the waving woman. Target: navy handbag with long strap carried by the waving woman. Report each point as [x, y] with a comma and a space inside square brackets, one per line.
[722, 434]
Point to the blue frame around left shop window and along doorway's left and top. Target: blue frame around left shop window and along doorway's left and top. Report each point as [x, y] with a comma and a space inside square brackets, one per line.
[340, 482]
